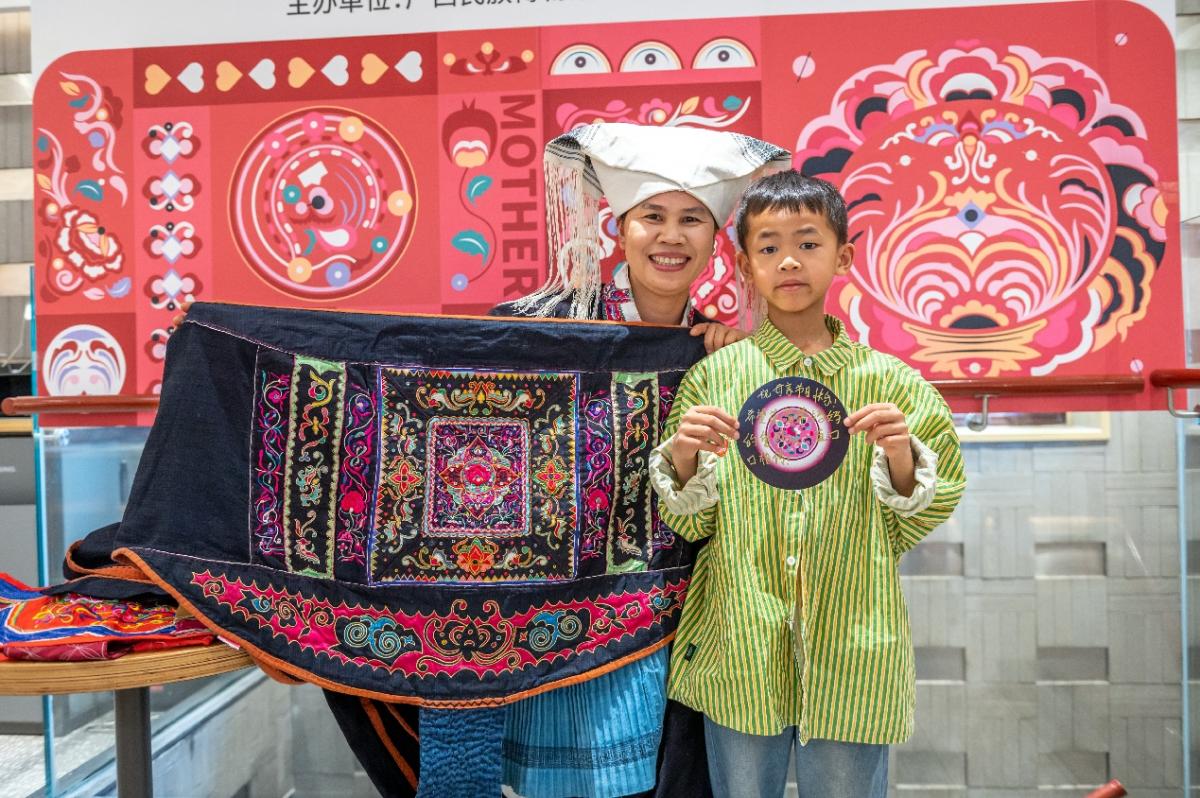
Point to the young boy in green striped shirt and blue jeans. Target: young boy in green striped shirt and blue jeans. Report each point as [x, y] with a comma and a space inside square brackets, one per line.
[795, 628]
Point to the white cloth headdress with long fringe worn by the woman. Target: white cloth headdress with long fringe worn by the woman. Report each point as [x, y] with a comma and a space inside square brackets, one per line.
[628, 165]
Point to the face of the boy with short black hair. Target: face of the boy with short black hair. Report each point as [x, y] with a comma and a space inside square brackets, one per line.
[793, 257]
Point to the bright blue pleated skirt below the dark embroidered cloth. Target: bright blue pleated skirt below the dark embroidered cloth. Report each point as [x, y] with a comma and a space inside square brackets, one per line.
[596, 740]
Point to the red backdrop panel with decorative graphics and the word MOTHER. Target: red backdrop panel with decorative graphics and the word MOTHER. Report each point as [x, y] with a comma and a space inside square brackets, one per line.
[1012, 177]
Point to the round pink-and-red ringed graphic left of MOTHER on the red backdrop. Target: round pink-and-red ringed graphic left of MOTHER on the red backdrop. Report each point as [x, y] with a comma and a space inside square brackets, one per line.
[322, 203]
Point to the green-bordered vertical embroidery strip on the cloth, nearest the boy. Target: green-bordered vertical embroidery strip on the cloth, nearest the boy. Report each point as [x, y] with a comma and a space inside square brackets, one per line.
[635, 406]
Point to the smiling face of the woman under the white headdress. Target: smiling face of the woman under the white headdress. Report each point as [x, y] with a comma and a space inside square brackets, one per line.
[668, 242]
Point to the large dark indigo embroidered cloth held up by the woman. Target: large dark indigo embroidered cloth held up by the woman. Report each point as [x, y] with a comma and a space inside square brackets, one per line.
[277, 497]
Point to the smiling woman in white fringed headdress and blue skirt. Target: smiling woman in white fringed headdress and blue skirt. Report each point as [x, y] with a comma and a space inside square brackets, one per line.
[671, 189]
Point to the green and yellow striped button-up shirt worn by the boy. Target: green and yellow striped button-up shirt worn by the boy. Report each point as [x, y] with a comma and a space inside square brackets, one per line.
[836, 548]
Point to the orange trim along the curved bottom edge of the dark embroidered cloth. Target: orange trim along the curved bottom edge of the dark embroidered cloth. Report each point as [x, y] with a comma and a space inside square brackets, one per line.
[261, 657]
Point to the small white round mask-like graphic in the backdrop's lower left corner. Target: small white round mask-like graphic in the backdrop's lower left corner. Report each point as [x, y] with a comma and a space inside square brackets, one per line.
[83, 361]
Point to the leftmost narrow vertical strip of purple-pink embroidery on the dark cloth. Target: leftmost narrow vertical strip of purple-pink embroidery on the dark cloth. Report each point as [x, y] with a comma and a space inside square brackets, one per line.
[269, 443]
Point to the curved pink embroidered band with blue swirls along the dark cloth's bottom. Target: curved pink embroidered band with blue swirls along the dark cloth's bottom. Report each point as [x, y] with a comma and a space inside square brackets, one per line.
[472, 639]
